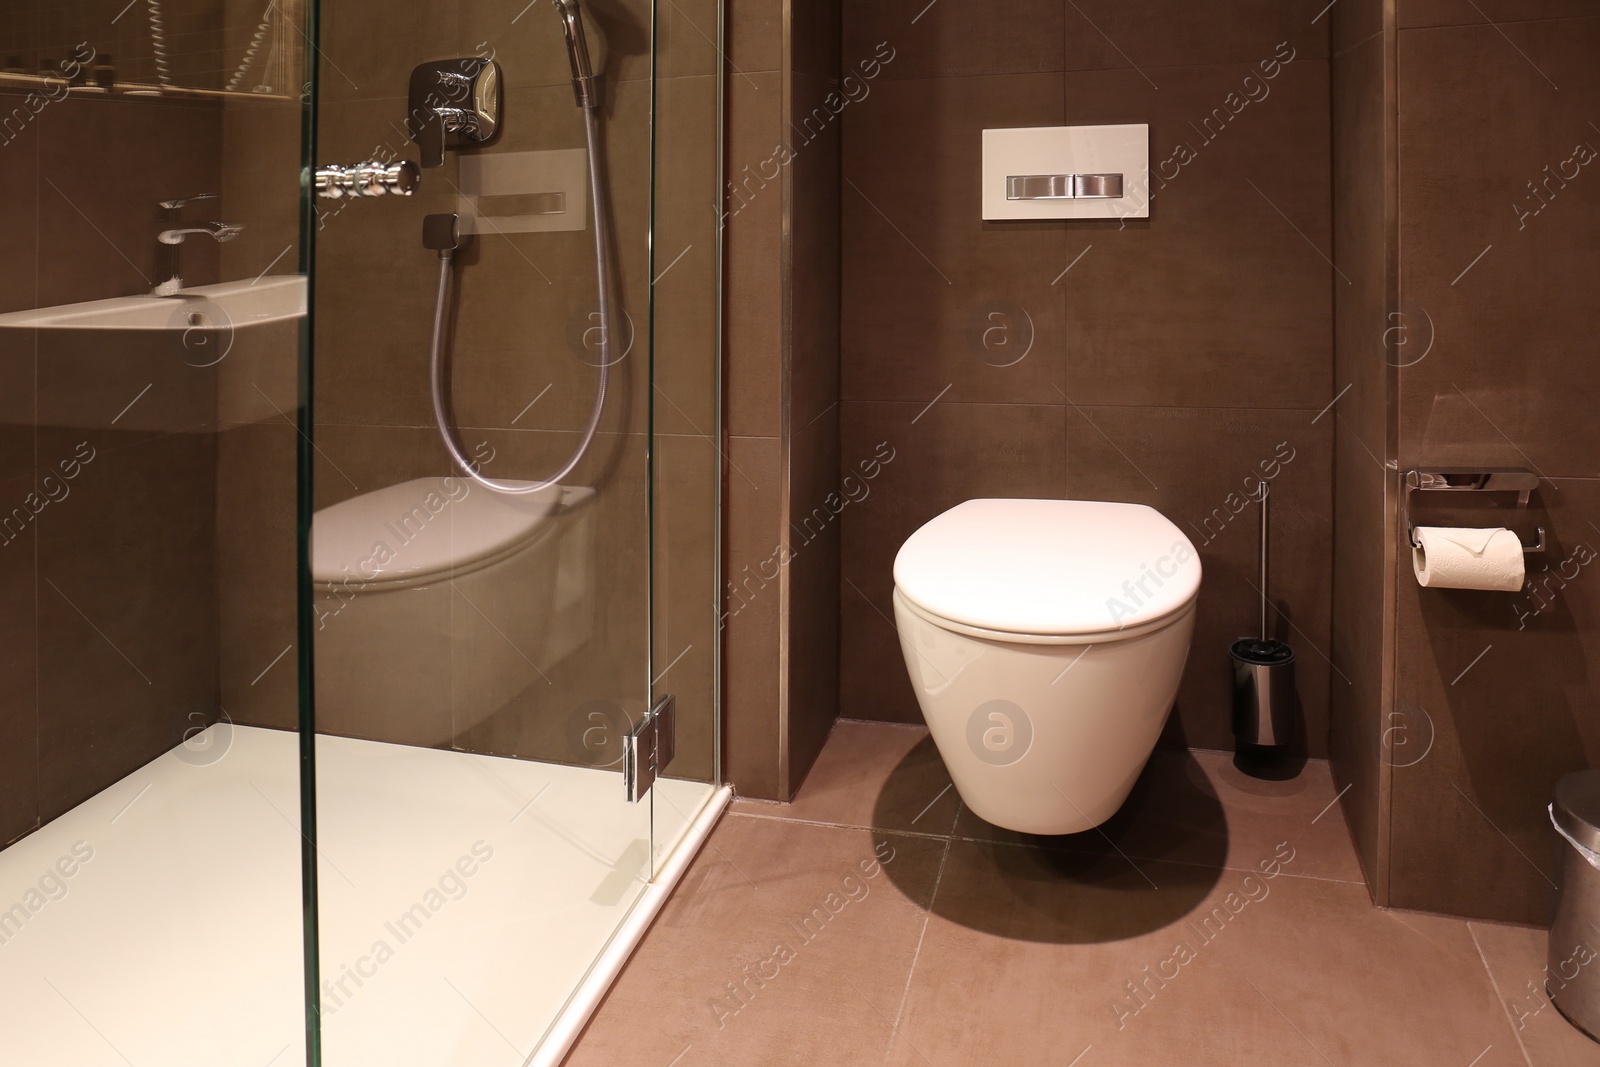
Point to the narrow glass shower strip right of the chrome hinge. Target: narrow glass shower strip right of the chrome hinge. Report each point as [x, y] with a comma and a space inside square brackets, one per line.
[687, 402]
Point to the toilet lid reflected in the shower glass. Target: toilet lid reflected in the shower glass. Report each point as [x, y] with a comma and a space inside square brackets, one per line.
[422, 527]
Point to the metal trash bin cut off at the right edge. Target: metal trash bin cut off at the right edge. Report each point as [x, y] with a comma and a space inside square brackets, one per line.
[1574, 962]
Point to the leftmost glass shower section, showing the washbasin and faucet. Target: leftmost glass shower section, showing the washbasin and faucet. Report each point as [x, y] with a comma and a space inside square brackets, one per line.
[151, 311]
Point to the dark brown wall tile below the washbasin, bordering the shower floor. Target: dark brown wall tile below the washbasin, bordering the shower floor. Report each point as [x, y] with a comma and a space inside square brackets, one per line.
[127, 623]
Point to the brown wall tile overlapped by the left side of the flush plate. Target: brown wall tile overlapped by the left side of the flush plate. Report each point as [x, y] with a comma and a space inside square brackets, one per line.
[932, 295]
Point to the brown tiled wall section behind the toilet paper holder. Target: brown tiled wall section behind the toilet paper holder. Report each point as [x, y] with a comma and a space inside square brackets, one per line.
[1502, 681]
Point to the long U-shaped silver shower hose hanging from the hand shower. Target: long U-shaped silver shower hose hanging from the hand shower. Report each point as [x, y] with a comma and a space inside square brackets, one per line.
[438, 358]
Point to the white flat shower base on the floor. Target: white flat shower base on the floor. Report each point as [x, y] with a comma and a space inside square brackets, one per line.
[463, 901]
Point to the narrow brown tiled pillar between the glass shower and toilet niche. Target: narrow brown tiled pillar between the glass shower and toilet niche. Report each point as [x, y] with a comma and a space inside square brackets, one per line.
[782, 383]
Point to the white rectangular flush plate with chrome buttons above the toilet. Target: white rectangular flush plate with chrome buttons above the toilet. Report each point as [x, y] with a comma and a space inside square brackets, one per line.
[1068, 172]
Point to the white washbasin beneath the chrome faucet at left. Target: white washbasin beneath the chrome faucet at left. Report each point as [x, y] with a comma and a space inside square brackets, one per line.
[209, 306]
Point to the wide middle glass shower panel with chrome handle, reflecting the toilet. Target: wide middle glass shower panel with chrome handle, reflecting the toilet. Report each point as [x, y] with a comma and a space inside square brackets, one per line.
[479, 655]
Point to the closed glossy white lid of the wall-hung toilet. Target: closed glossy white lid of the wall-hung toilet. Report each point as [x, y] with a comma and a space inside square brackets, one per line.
[1049, 567]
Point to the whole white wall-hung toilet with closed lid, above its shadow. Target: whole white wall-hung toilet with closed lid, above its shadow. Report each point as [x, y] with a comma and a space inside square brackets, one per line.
[1046, 642]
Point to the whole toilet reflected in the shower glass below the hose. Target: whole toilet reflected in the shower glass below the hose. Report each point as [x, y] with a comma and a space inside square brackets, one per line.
[439, 602]
